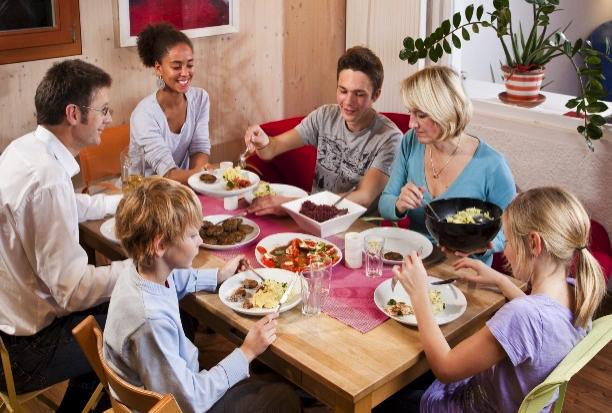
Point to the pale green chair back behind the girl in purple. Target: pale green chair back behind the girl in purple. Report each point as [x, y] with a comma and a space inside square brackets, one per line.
[585, 350]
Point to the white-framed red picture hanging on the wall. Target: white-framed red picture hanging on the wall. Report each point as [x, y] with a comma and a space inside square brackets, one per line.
[196, 18]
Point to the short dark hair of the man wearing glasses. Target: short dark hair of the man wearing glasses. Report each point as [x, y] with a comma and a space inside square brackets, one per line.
[68, 82]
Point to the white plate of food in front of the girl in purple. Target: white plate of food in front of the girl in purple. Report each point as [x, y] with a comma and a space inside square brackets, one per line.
[447, 302]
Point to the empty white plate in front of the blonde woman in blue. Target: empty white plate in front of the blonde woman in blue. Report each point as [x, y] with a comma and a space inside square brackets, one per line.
[401, 240]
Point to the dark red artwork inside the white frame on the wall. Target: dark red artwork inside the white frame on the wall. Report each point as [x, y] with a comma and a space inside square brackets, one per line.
[183, 14]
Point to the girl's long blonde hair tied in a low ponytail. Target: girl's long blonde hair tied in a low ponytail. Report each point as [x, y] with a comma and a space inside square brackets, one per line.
[564, 225]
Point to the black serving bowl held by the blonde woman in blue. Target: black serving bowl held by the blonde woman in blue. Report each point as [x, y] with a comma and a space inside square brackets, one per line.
[462, 237]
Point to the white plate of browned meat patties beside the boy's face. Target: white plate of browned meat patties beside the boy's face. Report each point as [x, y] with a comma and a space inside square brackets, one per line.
[224, 232]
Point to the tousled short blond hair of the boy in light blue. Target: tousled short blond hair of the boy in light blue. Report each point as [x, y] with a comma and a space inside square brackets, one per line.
[157, 207]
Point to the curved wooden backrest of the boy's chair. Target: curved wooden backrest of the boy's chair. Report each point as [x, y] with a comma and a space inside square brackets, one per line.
[135, 398]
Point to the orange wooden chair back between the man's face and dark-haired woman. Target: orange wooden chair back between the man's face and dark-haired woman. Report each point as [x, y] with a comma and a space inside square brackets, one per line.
[102, 161]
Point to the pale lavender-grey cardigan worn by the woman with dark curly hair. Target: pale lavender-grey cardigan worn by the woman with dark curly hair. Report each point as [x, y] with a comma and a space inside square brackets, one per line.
[163, 148]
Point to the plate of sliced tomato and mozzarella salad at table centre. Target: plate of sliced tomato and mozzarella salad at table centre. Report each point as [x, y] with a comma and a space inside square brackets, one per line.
[294, 251]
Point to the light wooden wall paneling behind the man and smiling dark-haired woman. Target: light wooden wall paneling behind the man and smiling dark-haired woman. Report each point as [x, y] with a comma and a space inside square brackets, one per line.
[245, 73]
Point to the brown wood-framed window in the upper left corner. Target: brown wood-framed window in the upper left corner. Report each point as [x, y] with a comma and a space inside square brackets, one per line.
[38, 29]
